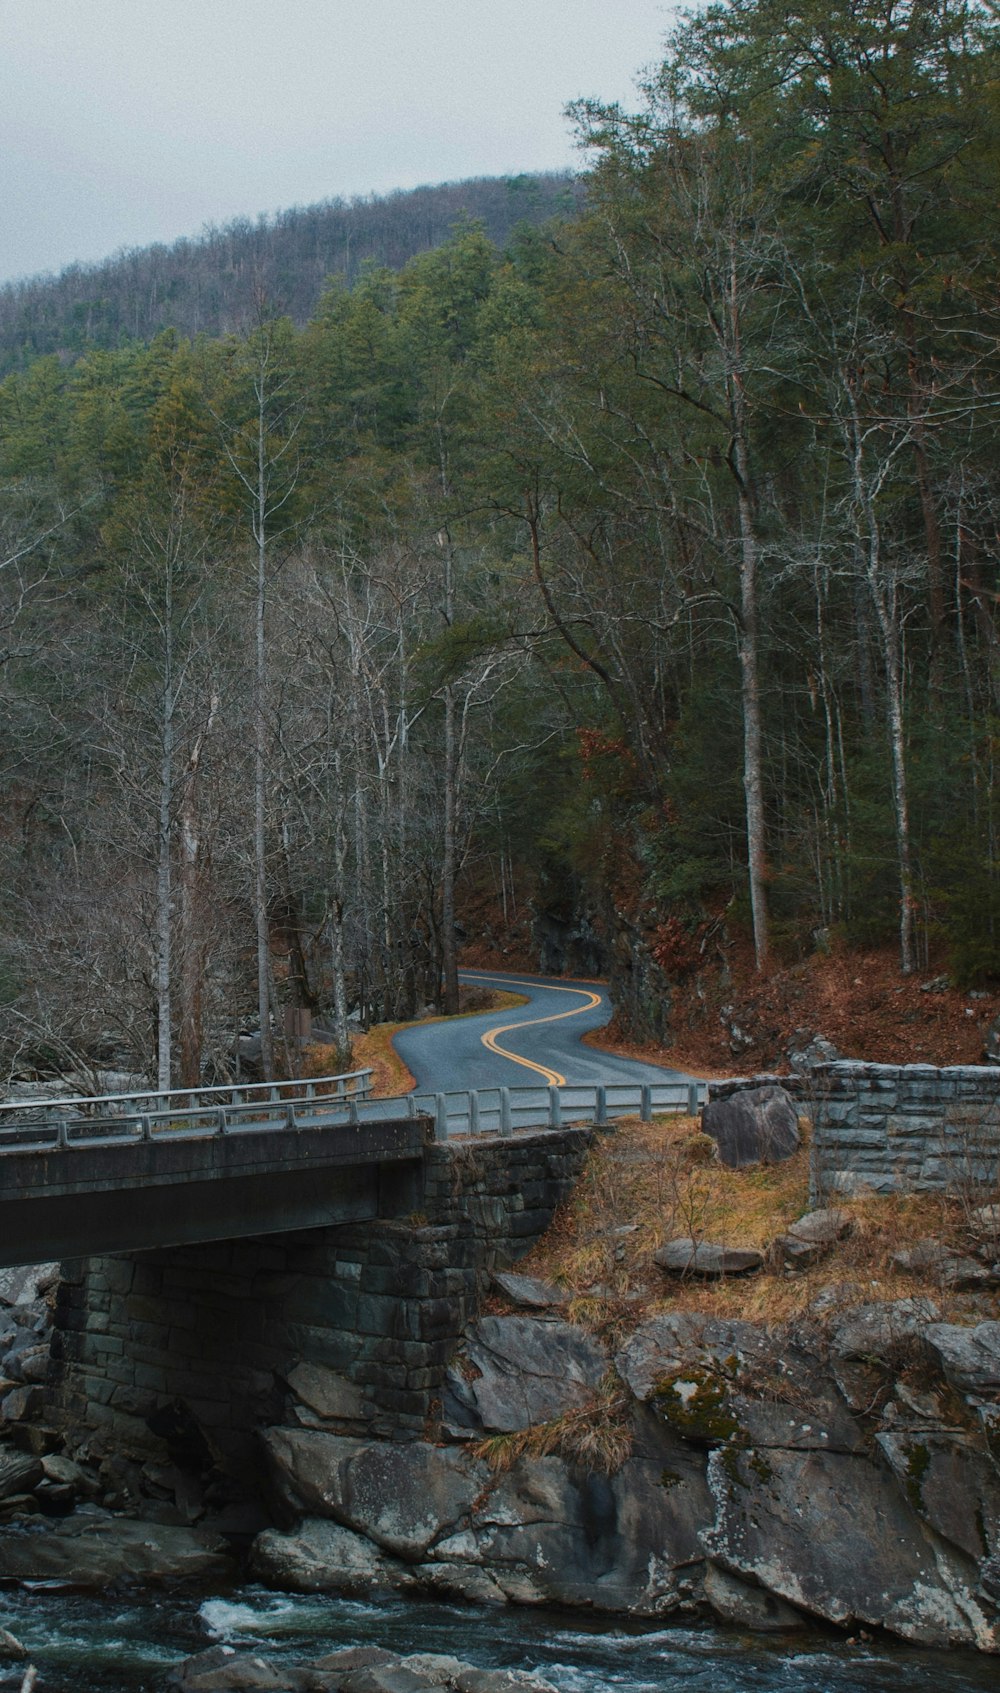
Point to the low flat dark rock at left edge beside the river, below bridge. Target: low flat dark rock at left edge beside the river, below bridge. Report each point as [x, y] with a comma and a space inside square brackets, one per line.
[92, 1552]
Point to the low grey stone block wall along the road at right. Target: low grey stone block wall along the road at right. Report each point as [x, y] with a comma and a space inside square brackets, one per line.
[896, 1128]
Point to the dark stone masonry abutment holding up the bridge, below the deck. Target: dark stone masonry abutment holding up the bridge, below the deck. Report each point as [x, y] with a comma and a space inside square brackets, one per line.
[197, 1345]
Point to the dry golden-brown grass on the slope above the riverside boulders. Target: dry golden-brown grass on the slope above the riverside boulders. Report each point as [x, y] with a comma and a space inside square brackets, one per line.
[649, 1183]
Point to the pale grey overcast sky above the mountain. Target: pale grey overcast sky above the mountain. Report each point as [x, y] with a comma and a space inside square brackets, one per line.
[135, 121]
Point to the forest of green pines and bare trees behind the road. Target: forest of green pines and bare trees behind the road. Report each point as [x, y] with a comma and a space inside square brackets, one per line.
[637, 573]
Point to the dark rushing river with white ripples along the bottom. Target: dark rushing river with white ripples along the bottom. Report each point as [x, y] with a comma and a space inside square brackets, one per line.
[85, 1645]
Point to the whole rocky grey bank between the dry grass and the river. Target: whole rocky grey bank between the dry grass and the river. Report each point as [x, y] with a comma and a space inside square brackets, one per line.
[845, 1474]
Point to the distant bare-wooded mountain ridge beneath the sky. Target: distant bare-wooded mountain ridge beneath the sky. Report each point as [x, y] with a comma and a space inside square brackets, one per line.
[207, 285]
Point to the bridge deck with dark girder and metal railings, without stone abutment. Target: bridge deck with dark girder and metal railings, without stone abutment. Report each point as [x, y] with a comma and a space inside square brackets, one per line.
[129, 1172]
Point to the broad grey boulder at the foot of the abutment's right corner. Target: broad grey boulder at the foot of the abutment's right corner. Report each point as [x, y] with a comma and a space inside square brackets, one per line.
[404, 1497]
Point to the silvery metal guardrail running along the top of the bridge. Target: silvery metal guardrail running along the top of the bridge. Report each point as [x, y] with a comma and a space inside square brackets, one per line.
[302, 1106]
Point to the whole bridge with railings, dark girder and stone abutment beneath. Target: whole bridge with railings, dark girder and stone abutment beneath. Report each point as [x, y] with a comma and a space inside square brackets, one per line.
[219, 1254]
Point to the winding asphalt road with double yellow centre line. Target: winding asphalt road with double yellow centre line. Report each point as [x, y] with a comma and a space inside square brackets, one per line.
[532, 1045]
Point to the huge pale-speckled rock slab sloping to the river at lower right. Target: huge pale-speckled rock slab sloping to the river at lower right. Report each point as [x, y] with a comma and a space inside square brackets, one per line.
[833, 1536]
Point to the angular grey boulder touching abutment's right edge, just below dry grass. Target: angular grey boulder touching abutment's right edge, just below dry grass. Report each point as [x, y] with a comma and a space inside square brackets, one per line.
[519, 1372]
